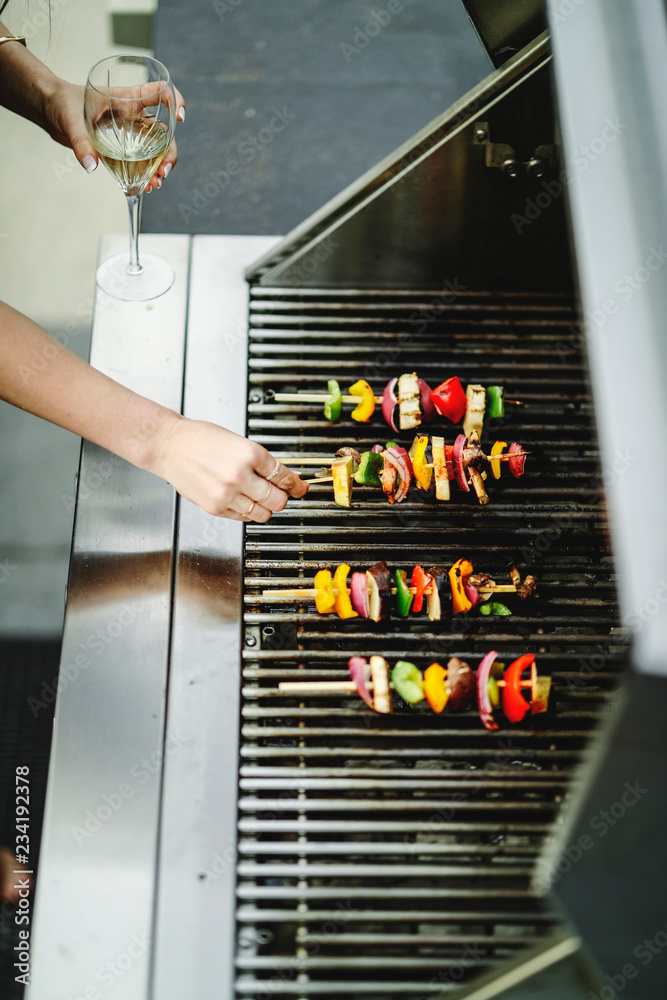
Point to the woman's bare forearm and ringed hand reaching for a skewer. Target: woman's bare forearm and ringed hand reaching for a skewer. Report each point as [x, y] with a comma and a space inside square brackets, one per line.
[219, 470]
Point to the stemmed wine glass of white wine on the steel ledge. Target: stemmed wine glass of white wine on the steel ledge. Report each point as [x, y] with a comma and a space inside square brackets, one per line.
[129, 110]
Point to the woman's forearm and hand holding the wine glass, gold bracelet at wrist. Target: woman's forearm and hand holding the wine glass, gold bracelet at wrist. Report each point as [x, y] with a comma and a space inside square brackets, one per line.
[31, 90]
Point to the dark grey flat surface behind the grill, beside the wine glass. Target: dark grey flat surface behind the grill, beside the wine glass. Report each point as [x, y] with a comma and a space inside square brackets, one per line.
[289, 101]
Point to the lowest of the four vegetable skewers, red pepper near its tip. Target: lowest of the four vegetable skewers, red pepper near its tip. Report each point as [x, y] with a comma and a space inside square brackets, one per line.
[454, 685]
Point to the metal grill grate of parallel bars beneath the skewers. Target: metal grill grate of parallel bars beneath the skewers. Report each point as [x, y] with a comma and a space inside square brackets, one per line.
[386, 855]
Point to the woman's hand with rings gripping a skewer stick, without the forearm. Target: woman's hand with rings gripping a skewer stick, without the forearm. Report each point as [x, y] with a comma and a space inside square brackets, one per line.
[224, 473]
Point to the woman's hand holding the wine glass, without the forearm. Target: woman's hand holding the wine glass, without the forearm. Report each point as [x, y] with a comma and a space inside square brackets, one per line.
[62, 118]
